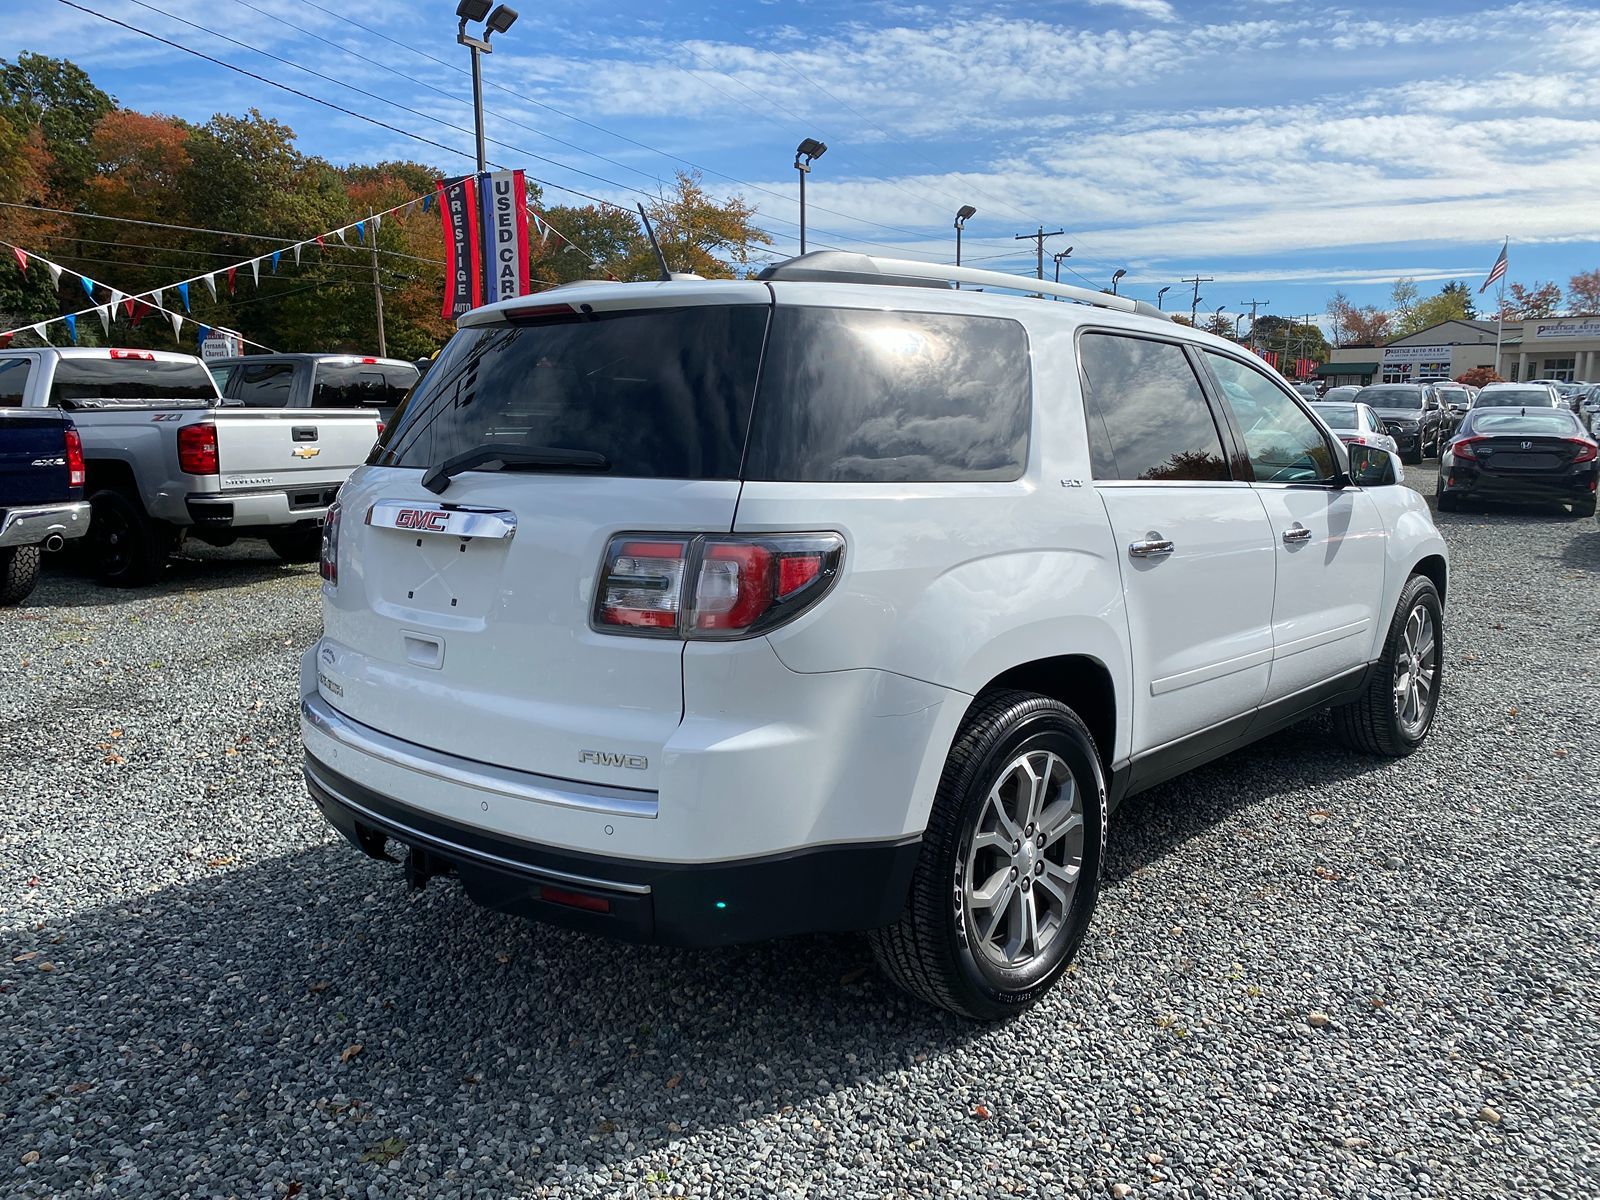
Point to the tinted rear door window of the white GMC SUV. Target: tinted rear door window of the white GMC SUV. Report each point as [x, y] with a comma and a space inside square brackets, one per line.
[1146, 412]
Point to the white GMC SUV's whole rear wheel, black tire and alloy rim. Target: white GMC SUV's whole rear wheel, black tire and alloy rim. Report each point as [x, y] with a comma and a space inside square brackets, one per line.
[1010, 862]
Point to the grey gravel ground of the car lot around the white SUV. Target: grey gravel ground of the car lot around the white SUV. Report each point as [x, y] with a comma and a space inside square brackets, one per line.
[1311, 974]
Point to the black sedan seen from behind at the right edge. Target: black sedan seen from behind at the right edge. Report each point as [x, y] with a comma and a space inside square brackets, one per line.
[1522, 455]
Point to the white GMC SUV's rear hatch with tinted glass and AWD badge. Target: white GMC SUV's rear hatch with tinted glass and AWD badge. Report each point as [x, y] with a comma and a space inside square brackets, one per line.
[462, 617]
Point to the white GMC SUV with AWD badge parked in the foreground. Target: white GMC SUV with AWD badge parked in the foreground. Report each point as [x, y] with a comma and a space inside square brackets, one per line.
[700, 612]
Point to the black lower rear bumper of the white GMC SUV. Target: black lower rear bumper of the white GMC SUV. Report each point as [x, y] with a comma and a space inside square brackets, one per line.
[823, 890]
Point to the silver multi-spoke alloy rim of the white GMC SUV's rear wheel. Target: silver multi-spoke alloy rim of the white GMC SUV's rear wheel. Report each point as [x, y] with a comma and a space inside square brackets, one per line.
[1025, 858]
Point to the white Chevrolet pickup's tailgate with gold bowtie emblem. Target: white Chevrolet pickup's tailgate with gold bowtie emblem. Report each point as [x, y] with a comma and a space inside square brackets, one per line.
[290, 447]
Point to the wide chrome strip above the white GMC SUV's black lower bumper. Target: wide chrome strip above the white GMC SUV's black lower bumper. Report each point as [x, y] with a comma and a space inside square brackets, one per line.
[482, 777]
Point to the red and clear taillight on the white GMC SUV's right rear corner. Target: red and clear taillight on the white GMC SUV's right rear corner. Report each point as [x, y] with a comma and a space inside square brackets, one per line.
[713, 586]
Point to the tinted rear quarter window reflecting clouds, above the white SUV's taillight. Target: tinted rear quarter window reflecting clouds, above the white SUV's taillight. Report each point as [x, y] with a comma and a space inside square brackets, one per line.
[890, 398]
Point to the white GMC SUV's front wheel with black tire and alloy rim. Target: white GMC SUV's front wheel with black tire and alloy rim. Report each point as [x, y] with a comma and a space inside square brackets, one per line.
[1396, 713]
